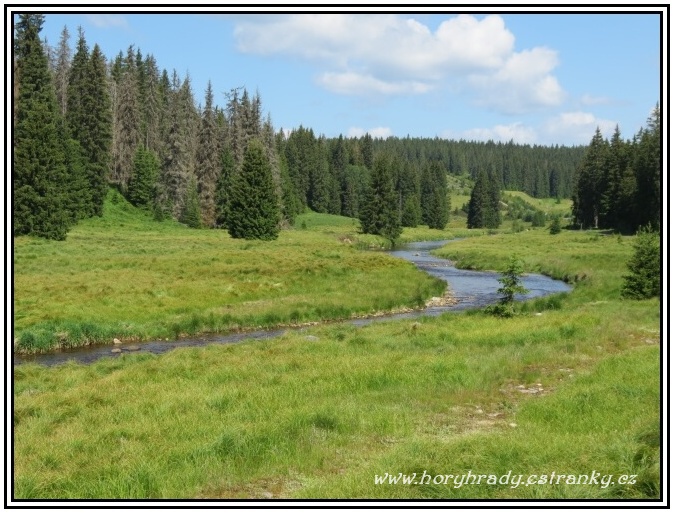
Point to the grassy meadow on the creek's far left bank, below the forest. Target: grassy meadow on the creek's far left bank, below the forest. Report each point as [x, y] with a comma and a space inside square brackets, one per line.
[127, 276]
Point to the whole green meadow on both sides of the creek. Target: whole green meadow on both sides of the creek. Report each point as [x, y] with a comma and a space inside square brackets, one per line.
[571, 385]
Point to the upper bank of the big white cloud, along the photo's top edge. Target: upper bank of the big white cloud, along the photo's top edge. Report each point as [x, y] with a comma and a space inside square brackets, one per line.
[380, 43]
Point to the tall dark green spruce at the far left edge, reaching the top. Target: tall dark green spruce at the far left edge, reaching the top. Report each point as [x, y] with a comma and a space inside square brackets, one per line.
[42, 188]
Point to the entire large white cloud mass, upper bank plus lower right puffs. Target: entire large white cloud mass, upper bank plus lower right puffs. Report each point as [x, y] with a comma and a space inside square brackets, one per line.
[387, 54]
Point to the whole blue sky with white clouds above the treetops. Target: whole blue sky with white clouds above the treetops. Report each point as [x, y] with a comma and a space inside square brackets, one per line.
[535, 78]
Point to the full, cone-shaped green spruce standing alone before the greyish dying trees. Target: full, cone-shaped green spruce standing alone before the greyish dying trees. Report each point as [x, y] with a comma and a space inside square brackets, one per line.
[253, 211]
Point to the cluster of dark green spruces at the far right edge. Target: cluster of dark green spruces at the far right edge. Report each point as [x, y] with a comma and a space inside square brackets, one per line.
[618, 183]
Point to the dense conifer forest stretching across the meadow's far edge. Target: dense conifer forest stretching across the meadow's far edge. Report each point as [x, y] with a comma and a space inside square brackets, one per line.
[83, 123]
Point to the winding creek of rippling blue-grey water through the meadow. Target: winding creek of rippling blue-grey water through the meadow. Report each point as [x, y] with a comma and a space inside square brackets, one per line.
[472, 289]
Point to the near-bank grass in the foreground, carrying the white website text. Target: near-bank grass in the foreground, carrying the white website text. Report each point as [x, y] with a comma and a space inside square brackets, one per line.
[574, 390]
